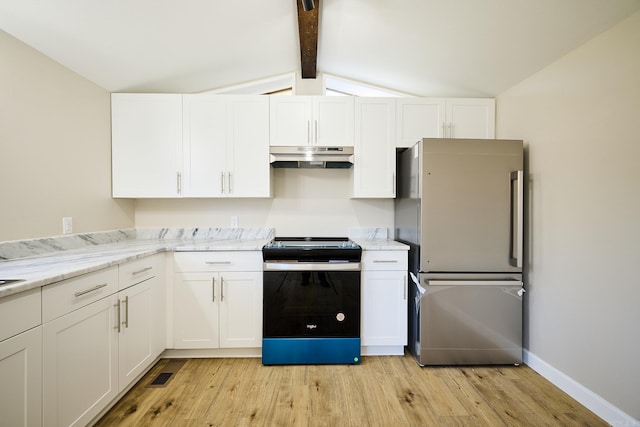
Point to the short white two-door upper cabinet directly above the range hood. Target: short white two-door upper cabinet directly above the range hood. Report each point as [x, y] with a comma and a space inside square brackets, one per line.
[311, 120]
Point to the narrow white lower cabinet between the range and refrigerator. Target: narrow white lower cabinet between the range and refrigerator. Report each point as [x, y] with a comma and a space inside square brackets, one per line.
[384, 302]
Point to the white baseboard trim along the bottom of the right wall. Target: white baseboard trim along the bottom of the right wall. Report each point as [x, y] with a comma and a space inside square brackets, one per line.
[595, 403]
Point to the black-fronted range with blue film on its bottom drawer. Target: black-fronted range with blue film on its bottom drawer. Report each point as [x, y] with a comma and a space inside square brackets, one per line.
[311, 302]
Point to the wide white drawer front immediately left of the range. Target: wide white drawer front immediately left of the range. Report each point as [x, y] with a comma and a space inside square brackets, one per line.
[218, 261]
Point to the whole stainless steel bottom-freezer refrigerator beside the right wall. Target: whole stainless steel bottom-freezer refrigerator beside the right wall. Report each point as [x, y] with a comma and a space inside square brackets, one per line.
[459, 207]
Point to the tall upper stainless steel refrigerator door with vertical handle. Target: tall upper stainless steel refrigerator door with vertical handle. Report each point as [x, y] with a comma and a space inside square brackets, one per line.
[467, 211]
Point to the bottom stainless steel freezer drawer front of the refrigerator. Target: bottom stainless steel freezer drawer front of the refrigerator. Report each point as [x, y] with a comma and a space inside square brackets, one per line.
[468, 325]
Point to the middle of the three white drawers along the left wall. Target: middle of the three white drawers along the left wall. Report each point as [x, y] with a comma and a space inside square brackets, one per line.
[68, 295]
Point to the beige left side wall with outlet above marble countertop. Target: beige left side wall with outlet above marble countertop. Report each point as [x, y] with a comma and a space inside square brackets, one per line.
[55, 149]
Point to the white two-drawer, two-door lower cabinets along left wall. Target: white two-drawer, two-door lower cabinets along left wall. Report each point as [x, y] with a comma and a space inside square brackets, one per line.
[97, 341]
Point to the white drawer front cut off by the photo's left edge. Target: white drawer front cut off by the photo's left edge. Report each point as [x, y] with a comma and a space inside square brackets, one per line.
[19, 312]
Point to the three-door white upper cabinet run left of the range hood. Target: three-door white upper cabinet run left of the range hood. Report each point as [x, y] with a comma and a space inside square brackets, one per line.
[168, 145]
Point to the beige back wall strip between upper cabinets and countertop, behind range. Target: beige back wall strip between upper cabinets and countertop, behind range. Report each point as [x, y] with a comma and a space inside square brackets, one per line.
[306, 202]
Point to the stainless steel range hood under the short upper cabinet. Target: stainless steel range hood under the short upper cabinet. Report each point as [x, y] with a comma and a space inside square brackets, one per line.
[311, 157]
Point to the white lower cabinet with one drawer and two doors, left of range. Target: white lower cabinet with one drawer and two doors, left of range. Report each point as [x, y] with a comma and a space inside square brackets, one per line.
[216, 307]
